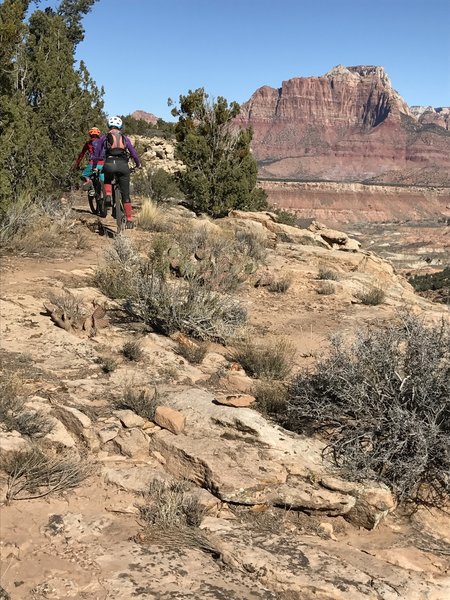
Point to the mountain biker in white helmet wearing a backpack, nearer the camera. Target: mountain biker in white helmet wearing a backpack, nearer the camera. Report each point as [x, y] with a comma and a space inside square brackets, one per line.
[117, 148]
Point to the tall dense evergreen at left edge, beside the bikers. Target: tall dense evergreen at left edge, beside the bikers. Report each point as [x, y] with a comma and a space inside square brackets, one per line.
[47, 102]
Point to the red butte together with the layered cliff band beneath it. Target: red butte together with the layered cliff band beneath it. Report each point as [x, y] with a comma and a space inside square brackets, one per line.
[350, 126]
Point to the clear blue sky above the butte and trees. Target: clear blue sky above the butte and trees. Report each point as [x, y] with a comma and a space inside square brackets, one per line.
[145, 51]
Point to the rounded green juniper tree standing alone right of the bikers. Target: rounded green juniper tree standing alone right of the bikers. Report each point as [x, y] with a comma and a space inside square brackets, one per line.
[220, 170]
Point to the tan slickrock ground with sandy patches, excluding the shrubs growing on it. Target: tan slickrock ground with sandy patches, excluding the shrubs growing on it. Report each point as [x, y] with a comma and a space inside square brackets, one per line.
[277, 522]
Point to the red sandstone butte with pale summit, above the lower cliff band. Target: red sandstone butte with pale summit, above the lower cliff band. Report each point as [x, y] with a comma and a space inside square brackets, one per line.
[347, 125]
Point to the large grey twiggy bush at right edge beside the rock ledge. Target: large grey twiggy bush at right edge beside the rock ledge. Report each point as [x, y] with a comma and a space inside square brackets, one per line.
[383, 404]
